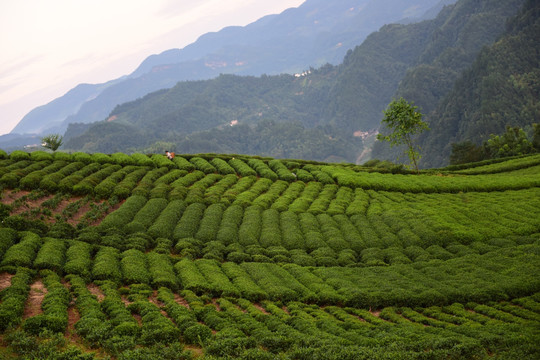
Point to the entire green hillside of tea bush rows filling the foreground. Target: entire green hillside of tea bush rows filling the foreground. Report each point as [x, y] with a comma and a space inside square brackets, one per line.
[221, 256]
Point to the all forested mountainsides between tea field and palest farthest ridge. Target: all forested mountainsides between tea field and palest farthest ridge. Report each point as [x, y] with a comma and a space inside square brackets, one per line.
[473, 70]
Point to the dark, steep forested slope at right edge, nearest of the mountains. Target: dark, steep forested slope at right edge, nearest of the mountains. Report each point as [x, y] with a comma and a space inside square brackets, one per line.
[500, 89]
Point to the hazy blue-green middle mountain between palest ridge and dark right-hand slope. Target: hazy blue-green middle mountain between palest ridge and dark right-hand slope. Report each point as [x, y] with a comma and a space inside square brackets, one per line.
[338, 101]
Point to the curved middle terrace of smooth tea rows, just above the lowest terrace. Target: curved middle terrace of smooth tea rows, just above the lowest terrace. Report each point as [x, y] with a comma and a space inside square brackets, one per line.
[499, 274]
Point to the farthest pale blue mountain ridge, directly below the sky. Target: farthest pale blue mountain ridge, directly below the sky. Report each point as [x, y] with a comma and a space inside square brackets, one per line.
[313, 34]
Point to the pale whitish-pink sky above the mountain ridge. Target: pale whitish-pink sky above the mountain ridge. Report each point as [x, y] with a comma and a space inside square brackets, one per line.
[50, 46]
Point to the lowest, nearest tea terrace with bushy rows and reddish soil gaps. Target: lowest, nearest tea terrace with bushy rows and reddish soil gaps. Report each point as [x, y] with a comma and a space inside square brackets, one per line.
[119, 319]
